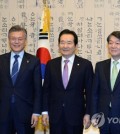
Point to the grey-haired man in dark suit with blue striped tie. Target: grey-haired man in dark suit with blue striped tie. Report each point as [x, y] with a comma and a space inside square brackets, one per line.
[20, 86]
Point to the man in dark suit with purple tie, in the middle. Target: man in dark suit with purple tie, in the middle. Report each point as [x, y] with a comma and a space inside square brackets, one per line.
[64, 105]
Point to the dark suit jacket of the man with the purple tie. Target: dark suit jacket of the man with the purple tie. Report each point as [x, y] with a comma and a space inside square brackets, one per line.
[55, 97]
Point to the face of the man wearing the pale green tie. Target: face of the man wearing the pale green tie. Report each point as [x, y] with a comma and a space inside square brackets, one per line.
[114, 47]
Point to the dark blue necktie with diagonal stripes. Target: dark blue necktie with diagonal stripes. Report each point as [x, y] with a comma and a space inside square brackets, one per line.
[15, 69]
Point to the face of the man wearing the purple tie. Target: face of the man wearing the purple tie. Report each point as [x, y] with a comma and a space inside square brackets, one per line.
[66, 46]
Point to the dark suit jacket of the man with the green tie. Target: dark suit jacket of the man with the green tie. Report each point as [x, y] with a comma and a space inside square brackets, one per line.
[102, 93]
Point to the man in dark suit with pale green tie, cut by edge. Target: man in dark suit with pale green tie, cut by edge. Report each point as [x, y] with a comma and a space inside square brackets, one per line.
[106, 88]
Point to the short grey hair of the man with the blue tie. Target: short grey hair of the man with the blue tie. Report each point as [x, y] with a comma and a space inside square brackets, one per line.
[17, 28]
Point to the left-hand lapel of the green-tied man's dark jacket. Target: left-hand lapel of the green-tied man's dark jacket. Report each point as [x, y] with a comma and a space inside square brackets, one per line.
[107, 73]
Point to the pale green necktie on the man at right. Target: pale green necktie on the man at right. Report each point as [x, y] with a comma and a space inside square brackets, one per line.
[114, 73]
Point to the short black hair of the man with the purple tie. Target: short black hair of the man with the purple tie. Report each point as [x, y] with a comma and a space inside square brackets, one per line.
[67, 31]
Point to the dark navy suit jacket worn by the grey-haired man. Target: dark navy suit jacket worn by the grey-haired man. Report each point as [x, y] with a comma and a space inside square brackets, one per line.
[27, 89]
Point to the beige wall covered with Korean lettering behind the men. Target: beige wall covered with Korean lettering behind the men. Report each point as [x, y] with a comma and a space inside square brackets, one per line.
[92, 20]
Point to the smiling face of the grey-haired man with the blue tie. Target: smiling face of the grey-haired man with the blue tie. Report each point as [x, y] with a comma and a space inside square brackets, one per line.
[17, 41]
